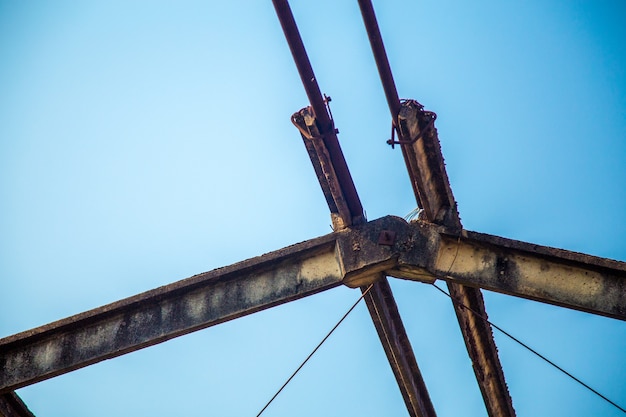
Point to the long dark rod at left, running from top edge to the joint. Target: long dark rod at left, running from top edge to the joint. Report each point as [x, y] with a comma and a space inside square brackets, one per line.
[324, 123]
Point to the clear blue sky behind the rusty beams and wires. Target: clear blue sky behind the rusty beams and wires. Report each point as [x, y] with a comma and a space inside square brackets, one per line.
[144, 142]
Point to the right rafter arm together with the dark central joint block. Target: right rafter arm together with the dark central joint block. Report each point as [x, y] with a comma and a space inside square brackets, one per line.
[422, 251]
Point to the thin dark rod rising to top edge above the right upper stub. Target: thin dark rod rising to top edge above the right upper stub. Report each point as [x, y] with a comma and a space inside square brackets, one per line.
[380, 55]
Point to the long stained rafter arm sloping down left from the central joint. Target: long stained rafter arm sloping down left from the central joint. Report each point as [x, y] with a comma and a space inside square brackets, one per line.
[170, 311]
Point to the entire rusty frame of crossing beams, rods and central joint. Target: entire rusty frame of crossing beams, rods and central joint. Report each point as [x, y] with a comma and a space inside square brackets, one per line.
[357, 254]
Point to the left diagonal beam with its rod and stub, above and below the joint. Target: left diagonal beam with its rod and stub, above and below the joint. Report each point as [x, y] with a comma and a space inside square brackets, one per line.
[320, 138]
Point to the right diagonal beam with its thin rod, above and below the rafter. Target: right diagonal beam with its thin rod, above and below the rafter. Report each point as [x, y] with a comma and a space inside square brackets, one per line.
[422, 154]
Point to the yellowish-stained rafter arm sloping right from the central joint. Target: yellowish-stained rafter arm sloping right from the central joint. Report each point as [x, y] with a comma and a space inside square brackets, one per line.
[555, 276]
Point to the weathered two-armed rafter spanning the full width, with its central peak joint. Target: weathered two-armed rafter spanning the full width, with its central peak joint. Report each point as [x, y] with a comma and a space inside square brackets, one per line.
[354, 257]
